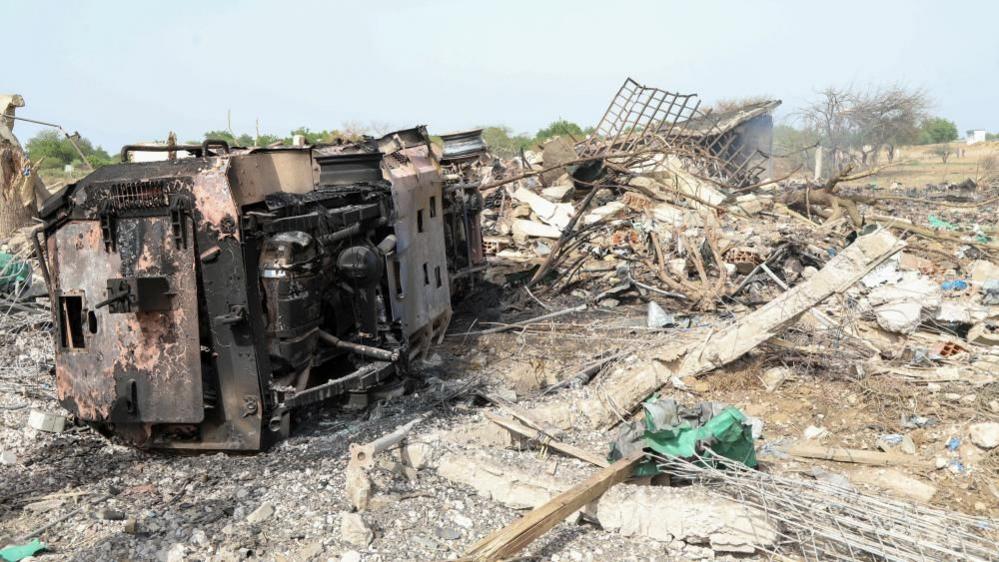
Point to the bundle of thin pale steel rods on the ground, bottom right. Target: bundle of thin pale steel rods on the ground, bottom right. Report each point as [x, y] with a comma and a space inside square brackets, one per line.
[823, 521]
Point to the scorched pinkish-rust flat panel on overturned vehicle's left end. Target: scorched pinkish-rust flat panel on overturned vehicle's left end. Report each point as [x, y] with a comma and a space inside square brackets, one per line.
[136, 366]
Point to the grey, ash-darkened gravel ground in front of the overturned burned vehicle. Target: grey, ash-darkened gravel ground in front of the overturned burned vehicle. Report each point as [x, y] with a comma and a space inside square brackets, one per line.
[98, 500]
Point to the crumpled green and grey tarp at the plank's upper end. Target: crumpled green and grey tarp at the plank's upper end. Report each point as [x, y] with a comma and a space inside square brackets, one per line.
[673, 430]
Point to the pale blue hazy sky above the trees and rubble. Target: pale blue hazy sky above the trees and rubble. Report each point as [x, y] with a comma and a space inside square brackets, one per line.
[121, 72]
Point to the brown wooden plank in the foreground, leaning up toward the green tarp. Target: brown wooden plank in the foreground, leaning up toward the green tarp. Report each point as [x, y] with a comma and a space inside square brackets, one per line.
[508, 541]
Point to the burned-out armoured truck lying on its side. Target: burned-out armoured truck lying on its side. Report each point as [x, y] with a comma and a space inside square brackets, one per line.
[201, 301]
